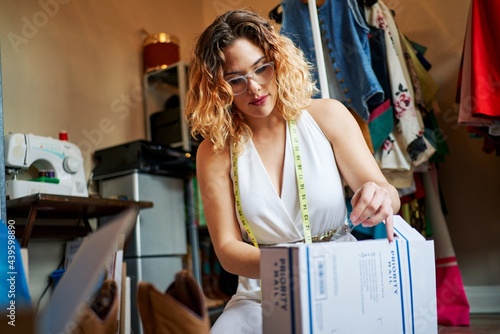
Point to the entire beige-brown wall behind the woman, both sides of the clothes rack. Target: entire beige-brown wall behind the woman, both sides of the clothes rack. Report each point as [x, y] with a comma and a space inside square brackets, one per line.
[76, 65]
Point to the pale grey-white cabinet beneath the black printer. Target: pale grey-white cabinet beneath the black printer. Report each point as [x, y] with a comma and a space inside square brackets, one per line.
[158, 243]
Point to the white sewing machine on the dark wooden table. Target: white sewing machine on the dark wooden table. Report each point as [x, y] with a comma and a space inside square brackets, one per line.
[58, 164]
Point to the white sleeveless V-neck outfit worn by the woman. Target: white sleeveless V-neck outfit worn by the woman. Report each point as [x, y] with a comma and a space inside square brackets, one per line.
[273, 219]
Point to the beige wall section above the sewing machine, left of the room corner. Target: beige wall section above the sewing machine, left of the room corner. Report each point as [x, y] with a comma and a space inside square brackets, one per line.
[76, 65]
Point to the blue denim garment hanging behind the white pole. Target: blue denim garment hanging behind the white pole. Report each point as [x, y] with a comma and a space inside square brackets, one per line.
[345, 32]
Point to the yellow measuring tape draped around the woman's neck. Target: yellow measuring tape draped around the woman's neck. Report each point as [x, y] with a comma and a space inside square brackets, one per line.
[300, 186]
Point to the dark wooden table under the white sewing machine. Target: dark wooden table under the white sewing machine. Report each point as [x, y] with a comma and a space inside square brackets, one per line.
[62, 207]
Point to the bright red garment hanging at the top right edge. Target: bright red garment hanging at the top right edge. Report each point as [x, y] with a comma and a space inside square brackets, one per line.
[485, 29]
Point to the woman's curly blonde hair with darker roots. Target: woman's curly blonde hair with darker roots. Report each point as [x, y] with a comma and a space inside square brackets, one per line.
[209, 102]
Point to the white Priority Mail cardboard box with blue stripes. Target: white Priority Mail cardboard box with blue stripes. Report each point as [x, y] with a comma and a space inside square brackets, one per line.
[351, 287]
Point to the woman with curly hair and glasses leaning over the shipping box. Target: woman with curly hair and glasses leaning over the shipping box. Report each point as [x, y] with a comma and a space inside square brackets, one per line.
[250, 99]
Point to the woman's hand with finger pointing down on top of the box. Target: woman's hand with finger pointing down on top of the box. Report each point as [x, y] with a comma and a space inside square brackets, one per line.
[371, 205]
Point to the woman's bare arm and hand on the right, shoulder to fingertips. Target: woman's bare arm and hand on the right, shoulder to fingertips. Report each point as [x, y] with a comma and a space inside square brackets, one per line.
[375, 199]
